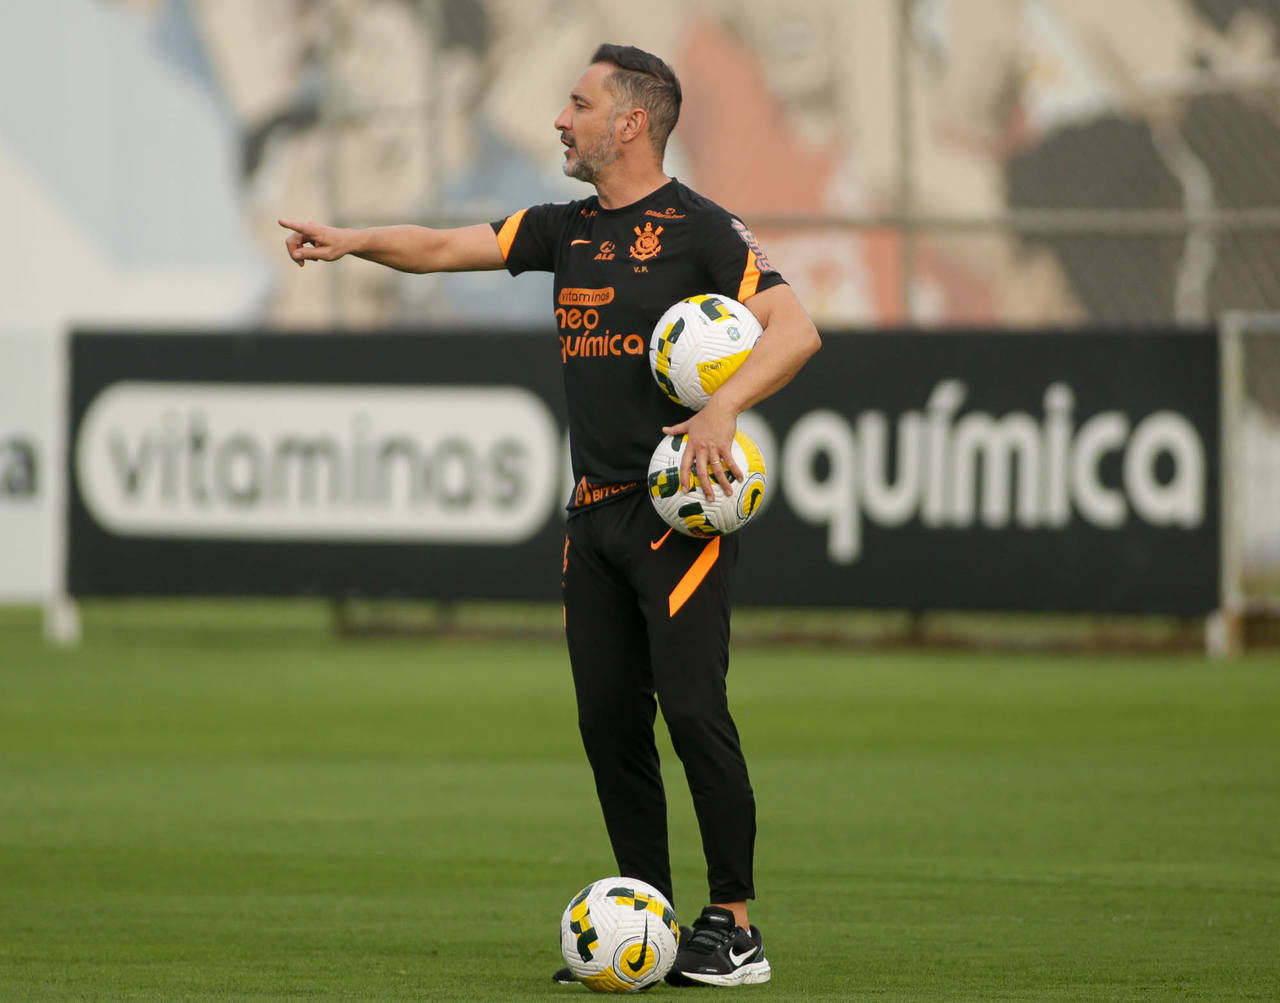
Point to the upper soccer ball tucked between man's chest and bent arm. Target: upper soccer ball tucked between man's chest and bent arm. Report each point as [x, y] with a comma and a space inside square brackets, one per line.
[698, 345]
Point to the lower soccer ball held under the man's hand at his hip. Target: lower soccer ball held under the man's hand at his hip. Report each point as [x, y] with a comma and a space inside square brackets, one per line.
[691, 512]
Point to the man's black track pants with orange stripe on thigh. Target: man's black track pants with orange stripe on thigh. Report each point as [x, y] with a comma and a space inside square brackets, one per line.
[647, 617]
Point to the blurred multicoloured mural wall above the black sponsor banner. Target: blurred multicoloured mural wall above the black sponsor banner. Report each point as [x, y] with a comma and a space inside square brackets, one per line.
[941, 162]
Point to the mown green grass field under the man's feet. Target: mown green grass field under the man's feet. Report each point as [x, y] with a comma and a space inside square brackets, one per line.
[223, 803]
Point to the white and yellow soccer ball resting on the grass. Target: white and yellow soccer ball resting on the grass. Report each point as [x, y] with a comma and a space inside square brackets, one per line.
[619, 936]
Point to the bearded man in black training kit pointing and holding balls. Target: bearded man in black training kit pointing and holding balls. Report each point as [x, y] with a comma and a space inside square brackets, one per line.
[647, 612]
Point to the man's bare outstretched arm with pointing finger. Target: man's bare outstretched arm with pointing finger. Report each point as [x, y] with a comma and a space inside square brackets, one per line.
[406, 248]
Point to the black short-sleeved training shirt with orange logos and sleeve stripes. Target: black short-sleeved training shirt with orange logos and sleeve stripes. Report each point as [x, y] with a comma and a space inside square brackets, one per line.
[618, 271]
